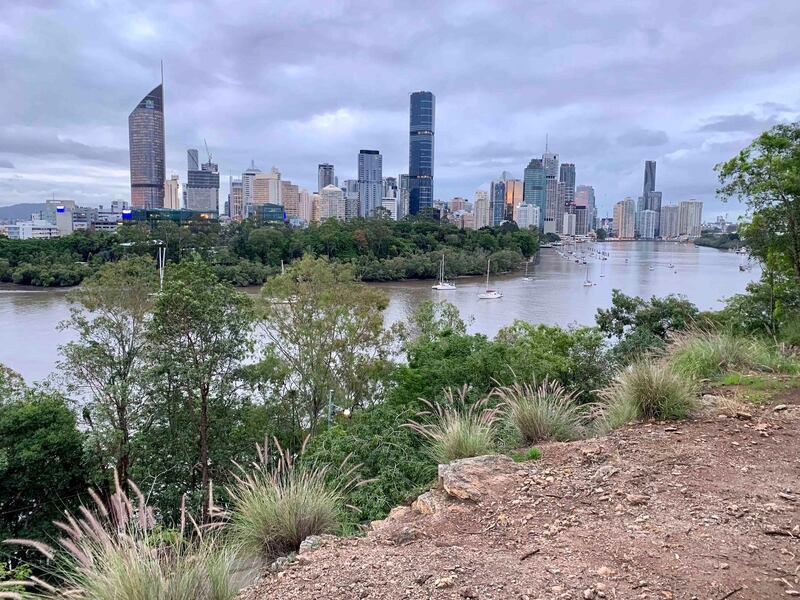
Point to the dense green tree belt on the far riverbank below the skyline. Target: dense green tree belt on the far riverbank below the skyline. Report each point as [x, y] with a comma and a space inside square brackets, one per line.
[248, 253]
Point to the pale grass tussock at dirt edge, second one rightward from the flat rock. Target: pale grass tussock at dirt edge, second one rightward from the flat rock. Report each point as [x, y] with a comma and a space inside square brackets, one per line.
[546, 412]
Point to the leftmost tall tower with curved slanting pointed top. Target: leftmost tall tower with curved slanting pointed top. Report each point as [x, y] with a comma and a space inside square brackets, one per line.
[146, 143]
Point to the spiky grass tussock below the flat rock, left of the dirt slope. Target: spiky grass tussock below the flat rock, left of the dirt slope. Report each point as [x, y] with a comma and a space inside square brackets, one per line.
[279, 503]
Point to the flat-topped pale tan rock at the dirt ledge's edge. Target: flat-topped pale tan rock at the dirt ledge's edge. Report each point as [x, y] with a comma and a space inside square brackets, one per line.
[474, 478]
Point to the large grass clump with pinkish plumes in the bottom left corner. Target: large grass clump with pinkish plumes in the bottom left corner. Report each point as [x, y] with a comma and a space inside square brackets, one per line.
[115, 552]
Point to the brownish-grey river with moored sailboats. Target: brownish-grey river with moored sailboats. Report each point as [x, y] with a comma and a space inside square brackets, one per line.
[555, 294]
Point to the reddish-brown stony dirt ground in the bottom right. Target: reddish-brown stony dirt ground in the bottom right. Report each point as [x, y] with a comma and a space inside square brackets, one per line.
[706, 509]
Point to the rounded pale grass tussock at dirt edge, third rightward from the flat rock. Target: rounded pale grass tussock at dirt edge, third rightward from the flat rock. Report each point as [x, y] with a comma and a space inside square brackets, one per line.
[647, 390]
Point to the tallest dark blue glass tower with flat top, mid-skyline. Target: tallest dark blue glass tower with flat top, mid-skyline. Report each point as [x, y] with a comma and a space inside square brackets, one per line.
[420, 151]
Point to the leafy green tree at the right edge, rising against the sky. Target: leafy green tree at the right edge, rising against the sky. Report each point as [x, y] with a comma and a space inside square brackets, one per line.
[766, 175]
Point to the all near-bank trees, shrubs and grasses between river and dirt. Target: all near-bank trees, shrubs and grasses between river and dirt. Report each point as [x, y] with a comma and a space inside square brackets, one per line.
[175, 393]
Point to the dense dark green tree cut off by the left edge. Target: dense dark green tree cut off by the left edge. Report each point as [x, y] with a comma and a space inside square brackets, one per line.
[41, 470]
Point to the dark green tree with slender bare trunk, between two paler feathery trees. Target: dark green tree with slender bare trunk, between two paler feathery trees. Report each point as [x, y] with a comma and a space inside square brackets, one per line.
[201, 332]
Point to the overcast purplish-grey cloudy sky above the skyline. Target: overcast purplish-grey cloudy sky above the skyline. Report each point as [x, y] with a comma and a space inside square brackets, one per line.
[293, 84]
